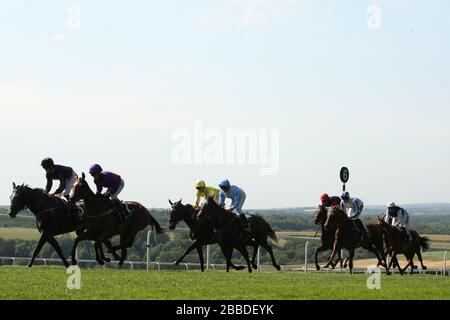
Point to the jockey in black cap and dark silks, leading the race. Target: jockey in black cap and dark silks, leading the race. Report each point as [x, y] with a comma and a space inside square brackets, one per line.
[66, 176]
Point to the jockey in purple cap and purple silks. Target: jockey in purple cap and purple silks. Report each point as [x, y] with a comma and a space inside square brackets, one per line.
[105, 179]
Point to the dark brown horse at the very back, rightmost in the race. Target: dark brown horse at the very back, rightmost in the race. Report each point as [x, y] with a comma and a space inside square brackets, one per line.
[398, 244]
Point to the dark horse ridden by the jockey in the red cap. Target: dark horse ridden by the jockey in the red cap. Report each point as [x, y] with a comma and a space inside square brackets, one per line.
[327, 237]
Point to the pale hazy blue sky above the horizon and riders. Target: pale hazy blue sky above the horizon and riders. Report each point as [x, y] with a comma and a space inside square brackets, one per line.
[364, 84]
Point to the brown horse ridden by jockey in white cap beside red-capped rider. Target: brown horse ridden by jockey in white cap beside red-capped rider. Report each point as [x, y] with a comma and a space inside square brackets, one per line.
[347, 237]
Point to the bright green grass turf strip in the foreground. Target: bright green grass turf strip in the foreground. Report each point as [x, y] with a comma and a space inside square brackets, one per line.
[50, 283]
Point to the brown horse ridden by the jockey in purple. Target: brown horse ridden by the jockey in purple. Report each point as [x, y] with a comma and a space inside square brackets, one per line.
[102, 224]
